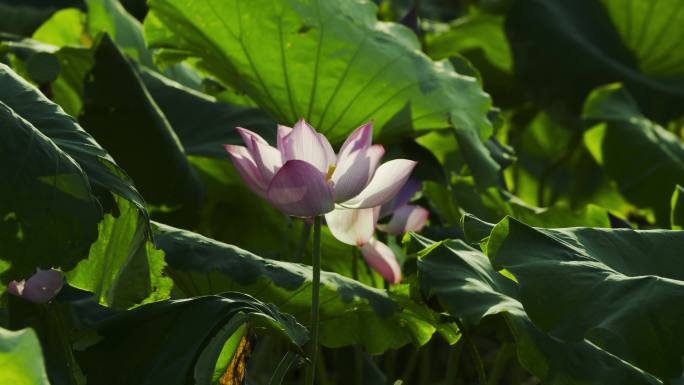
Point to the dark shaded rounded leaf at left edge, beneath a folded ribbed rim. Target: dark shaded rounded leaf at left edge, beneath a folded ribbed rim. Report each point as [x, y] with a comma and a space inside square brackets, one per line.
[48, 213]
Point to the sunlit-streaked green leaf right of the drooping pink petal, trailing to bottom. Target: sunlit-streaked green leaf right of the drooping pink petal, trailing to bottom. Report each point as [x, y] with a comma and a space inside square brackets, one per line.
[468, 287]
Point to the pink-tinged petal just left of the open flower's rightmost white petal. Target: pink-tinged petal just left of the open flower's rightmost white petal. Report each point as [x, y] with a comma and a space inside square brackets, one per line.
[353, 172]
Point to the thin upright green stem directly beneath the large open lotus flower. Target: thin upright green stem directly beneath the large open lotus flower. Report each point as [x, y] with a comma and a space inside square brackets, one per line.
[315, 292]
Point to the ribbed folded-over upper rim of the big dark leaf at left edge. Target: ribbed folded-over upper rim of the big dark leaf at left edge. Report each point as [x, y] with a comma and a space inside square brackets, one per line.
[104, 175]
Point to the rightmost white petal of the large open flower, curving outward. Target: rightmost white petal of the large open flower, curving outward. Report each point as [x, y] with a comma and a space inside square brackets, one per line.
[389, 178]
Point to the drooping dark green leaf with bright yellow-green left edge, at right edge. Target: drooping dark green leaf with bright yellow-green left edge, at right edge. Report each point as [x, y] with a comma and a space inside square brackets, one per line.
[644, 159]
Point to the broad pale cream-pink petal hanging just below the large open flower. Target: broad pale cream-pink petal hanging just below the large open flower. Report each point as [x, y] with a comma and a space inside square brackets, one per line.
[352, 226]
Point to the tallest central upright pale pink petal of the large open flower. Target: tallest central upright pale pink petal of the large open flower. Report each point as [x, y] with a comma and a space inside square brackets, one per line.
[304, 143]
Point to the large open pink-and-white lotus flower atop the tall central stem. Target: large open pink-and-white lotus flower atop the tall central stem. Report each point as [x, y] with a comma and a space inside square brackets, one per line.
[303, 177]
